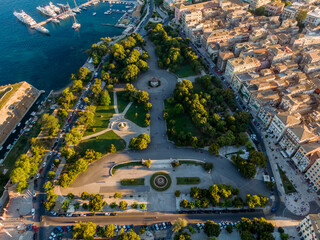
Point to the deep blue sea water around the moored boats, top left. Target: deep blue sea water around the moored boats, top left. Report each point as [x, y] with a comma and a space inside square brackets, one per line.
[48, 61]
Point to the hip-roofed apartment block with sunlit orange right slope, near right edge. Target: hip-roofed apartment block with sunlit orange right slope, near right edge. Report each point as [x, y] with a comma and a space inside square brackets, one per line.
[295, 136]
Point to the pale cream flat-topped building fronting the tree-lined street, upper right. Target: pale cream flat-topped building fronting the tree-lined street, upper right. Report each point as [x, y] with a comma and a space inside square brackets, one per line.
[239, 65]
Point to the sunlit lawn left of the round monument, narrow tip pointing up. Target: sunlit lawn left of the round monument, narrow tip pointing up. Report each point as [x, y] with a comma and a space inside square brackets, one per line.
[101, 118]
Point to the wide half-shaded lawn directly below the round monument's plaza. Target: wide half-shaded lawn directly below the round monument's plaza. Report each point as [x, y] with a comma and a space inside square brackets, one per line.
[102, 142]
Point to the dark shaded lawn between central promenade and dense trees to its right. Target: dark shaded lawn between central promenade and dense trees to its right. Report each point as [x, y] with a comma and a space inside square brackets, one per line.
[183, 122]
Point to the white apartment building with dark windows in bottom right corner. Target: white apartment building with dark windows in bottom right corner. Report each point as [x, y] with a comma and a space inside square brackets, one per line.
[309, 227]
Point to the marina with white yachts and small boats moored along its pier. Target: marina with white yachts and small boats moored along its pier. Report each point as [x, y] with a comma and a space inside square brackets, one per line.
[64, 11]
